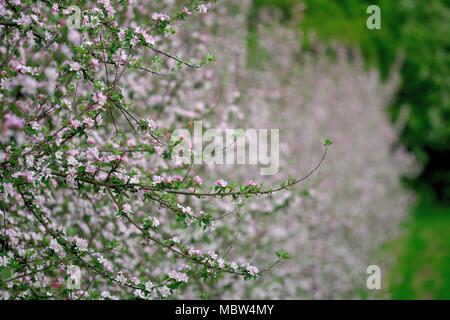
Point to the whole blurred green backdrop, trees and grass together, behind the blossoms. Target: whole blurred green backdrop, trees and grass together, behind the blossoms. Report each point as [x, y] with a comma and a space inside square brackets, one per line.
[414, 36]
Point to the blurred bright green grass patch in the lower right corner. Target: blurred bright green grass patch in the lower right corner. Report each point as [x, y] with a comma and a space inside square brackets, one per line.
[422, 269]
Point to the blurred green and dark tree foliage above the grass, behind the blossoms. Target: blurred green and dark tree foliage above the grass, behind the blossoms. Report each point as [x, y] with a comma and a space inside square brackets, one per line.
[414, 33]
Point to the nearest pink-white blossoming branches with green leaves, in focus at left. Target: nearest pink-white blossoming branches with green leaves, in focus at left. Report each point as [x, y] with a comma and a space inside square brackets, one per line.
[87, 178]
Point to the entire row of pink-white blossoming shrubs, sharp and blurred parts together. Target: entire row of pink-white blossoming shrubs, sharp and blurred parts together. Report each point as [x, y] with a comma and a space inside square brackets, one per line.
[88, 179]
